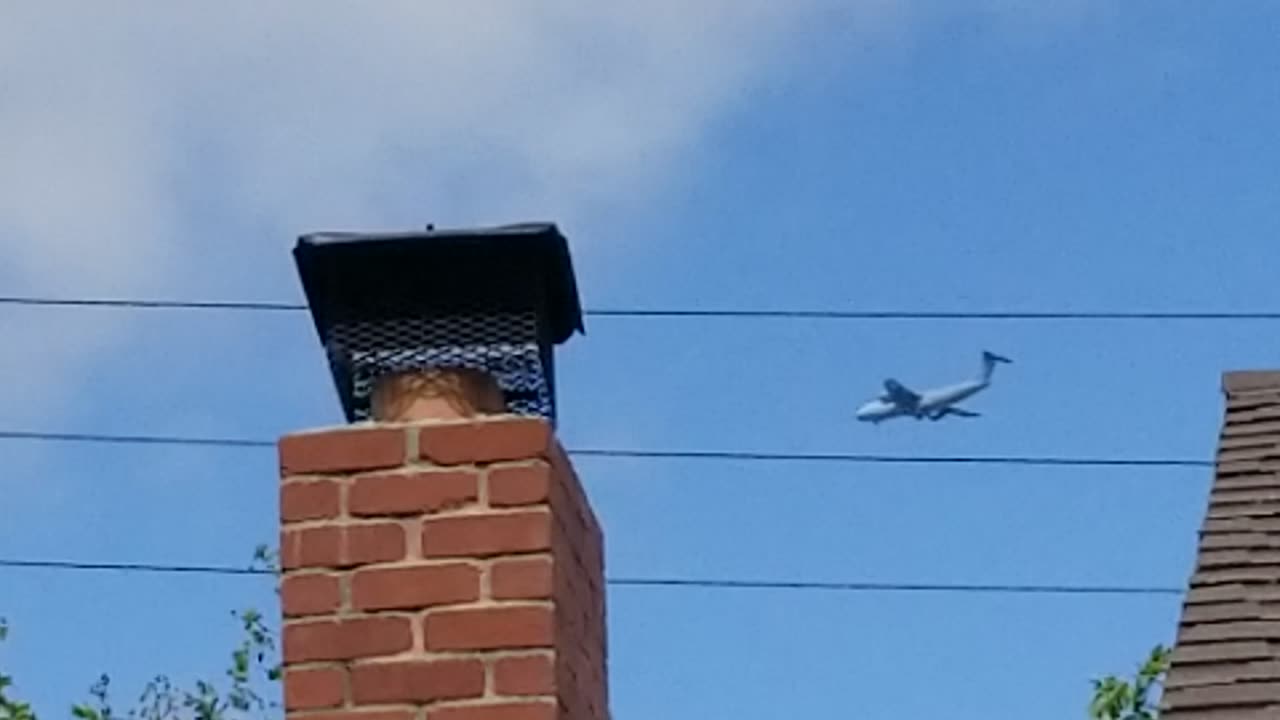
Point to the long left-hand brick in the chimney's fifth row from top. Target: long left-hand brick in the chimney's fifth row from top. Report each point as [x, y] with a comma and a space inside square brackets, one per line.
[346, 640]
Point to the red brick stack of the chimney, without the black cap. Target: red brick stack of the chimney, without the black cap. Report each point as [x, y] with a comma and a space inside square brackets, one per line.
[446, 568]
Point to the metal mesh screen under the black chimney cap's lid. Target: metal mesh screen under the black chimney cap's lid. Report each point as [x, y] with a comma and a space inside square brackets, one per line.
[501, 344]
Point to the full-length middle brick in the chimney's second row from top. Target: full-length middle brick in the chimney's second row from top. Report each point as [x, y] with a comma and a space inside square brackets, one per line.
[412, 494]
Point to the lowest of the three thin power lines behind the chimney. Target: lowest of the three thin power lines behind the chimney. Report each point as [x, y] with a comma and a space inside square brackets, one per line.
[653, 582]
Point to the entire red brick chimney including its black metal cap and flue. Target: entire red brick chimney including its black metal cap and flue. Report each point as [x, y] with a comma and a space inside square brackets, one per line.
[440, 558]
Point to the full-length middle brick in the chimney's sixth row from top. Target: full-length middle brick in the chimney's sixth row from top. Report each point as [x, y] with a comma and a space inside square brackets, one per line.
[417, 682]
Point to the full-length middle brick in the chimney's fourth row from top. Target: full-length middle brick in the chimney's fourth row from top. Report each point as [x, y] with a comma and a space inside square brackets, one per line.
[415, 587]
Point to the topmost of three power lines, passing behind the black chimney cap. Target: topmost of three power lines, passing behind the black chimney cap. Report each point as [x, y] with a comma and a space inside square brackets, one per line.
[685, 313]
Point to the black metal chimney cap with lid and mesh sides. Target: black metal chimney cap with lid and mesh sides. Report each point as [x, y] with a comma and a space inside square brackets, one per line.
[495, 299]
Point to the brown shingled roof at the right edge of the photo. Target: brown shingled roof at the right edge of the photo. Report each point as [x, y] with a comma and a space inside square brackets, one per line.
[1227, 659]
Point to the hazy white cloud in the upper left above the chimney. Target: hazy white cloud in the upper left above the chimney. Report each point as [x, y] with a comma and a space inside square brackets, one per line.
[126, 126]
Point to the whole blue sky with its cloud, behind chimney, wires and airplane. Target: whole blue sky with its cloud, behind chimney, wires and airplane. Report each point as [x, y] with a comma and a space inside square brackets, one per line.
[721, 154]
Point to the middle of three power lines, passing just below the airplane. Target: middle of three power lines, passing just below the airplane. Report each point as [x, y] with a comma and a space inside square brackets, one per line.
[848, 458]
